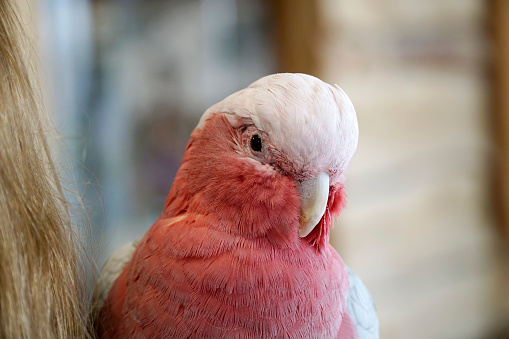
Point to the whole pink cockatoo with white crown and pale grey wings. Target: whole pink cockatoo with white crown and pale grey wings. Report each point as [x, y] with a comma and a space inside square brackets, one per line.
[241, 249]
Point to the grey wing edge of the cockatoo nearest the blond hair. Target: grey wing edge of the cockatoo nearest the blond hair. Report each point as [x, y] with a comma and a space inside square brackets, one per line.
[109, 273]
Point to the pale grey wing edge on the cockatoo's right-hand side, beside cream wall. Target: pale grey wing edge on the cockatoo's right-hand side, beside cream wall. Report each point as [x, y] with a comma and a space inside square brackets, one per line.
[362, 308]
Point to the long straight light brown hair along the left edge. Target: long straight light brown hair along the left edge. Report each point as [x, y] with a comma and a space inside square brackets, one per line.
[41, 291]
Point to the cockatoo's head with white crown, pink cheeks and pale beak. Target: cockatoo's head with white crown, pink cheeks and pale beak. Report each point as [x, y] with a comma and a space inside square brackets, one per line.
[283, 142]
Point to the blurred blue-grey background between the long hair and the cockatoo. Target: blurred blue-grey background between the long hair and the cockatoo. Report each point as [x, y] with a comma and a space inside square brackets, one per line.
[127, 83]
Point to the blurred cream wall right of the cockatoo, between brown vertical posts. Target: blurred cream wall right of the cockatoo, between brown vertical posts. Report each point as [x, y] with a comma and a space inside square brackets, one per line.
[419, 226]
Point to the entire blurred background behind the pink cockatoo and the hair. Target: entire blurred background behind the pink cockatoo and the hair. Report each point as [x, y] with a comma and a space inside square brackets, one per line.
[427, 220]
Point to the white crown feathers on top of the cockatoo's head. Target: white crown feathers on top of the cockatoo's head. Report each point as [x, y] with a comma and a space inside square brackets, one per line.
[306, 118]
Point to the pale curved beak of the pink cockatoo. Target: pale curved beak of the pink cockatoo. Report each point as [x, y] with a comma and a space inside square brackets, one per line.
[314, 194]
